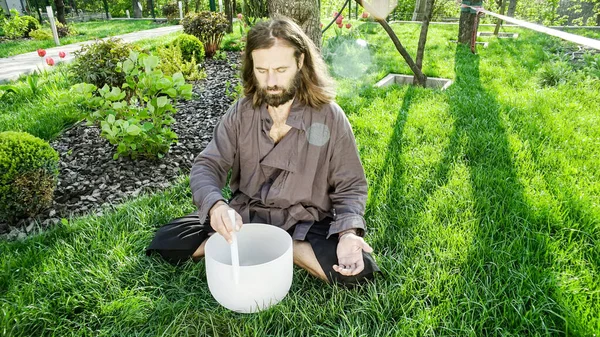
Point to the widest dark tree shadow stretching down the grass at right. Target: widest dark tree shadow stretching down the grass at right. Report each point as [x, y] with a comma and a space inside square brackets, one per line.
[507, 283]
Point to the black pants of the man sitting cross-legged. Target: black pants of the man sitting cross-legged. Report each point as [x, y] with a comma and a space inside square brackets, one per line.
[179, 239]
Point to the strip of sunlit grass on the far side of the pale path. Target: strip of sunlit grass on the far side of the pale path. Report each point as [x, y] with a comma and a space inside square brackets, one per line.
[86, 31]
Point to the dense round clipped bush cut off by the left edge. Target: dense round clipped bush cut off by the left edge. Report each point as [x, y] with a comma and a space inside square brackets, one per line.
[29, 169]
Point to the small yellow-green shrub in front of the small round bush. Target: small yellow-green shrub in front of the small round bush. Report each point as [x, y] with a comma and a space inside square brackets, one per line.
[173, 62]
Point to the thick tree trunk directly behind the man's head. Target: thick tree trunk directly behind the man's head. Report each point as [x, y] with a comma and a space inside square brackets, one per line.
[304, 12]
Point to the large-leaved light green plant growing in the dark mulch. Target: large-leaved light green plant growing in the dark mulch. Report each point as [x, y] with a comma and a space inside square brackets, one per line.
[137, 118]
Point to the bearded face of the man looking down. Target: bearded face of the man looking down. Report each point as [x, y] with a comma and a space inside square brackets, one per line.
[277, 73]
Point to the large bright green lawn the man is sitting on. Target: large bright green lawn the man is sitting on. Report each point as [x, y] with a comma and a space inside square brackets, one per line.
[483, 211]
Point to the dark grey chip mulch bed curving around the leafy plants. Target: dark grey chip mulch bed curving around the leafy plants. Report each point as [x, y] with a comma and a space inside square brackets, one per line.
[89, 178]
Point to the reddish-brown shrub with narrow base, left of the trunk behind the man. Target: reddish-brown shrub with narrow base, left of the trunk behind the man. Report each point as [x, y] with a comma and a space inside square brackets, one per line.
[209, 27]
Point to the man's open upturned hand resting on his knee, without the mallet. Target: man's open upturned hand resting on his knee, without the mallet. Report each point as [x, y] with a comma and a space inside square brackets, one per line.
[349, 252]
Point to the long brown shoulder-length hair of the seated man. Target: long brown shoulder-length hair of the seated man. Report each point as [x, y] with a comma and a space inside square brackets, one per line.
[316, 86]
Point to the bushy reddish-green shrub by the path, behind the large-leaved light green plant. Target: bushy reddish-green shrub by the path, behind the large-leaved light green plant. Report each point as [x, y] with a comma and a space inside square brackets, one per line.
[97, 63]
